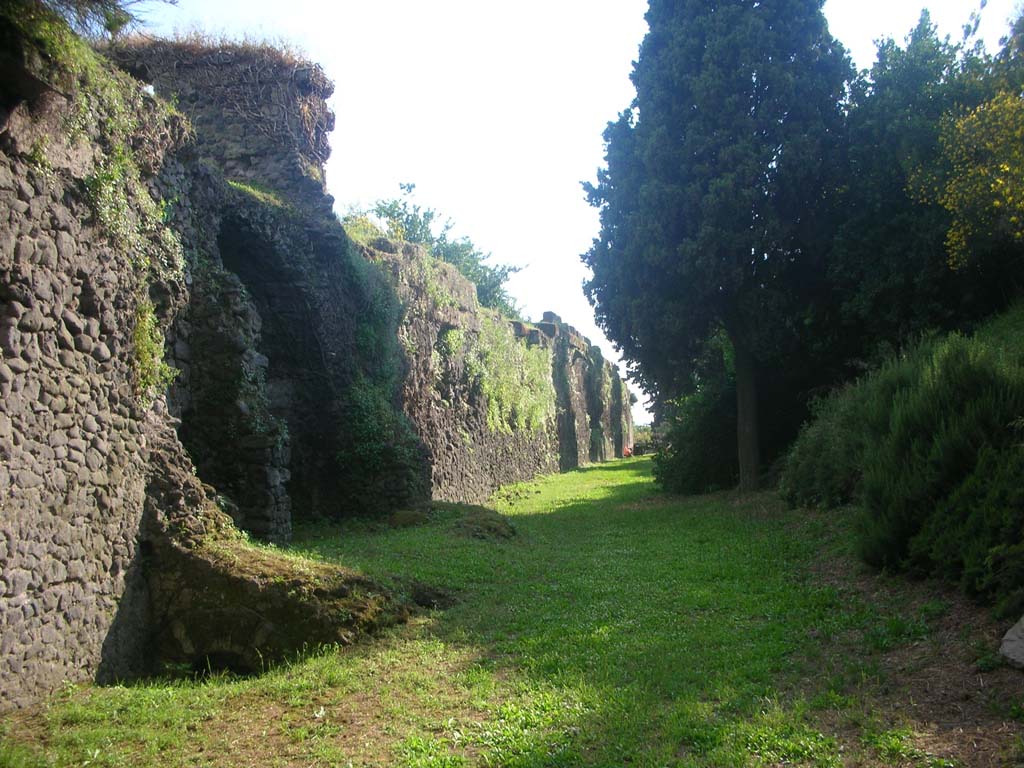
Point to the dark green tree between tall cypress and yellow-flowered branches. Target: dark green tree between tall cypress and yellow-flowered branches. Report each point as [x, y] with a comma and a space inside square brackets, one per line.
[889, 271]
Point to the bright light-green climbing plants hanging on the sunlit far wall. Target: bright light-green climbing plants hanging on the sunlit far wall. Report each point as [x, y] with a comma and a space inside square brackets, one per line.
[515, 377]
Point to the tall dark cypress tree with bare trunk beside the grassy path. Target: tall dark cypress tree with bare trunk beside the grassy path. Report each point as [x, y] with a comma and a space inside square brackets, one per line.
[718, 186]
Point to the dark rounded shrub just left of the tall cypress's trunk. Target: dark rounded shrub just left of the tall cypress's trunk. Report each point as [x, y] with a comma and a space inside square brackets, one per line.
[700, 450]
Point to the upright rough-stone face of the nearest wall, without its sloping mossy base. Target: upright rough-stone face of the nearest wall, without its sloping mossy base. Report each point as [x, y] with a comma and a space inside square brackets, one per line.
[75, 417]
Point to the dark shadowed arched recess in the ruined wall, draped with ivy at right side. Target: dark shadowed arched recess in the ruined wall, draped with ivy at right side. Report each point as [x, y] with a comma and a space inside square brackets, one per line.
[295, 360]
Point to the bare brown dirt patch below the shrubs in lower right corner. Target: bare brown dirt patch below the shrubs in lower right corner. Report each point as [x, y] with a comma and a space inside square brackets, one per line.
[949, 690]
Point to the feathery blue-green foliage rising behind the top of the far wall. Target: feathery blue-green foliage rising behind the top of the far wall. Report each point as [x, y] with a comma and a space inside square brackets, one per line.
[408, 222]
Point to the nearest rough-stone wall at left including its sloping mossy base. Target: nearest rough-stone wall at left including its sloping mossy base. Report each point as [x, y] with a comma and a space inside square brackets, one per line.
[113, 557]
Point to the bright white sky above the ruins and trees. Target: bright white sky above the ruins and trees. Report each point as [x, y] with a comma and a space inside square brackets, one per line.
[495, 111]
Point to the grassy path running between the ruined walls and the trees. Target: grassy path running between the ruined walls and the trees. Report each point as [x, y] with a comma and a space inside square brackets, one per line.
[620, 627]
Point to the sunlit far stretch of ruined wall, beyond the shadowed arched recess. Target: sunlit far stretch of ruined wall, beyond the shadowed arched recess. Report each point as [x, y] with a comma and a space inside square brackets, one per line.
[582, 408]
